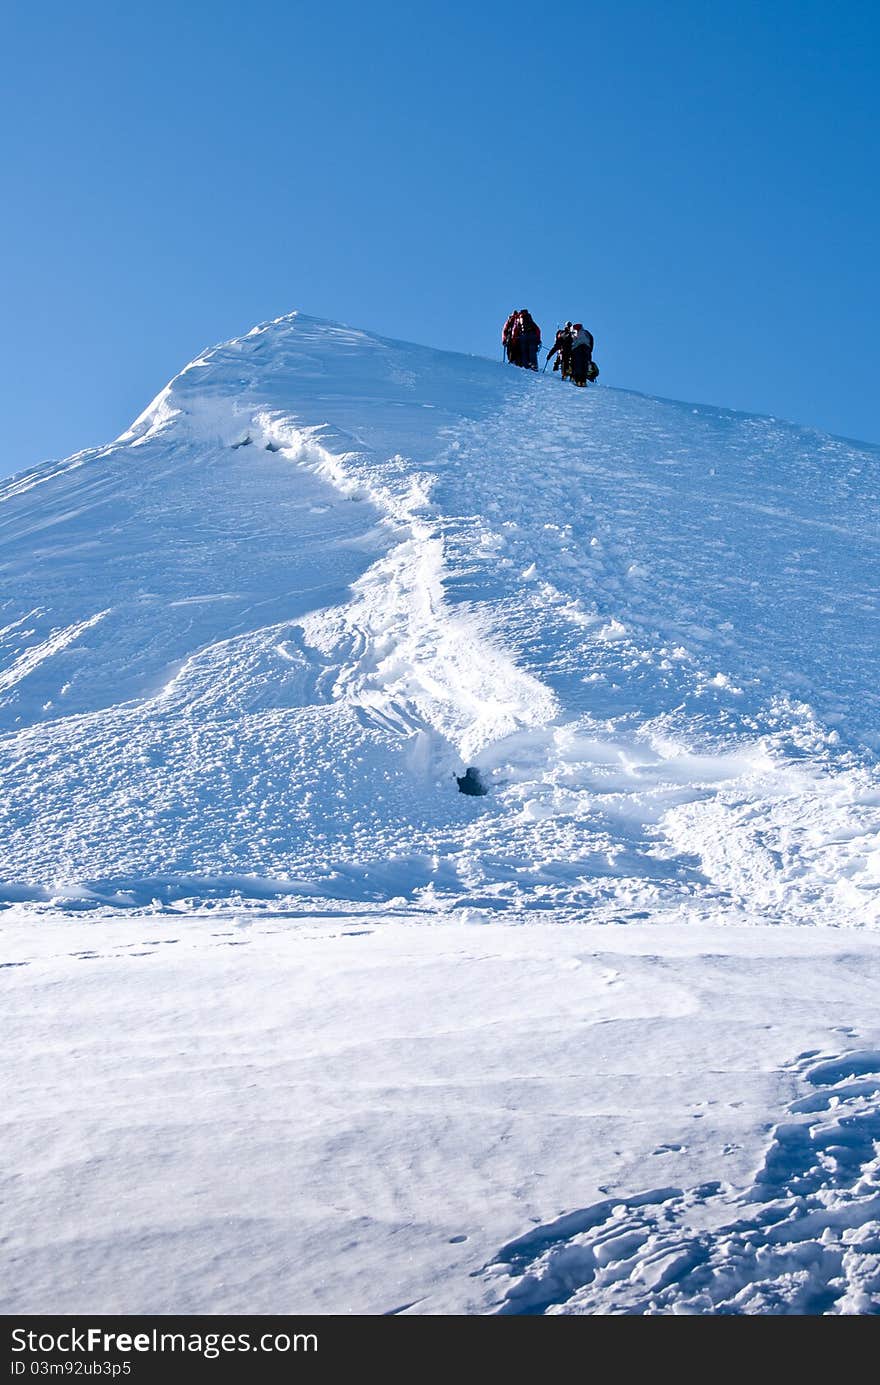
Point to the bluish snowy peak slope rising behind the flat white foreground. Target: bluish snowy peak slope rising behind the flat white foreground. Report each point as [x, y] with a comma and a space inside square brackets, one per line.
[249, 647]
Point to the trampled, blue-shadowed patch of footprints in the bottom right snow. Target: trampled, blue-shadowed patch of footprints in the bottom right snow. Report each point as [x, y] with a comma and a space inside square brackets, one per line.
[803, 1240]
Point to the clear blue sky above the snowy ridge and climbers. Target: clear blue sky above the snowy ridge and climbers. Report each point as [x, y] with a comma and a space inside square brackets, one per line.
[696, 182]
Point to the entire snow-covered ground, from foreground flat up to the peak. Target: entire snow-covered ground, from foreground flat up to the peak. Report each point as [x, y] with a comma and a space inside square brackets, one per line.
[247, 653]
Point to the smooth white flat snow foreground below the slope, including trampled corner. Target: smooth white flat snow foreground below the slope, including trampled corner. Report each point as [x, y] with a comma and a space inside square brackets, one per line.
[250, 1111]
